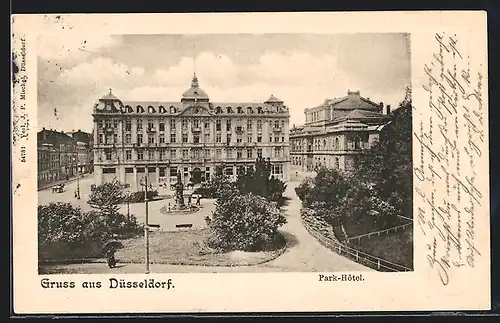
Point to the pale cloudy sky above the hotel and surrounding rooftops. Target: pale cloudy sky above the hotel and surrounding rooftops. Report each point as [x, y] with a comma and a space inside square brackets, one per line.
[301, 69]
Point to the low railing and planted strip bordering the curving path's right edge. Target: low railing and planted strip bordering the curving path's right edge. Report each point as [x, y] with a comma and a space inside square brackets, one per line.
[315, 227]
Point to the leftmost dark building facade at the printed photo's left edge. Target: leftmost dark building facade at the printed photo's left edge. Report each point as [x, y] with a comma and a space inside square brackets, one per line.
[48, 164]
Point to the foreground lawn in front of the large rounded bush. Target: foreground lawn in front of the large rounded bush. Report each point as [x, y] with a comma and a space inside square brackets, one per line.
[187, 247]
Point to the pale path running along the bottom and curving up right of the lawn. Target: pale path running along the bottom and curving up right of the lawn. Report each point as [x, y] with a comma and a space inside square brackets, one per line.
[305, 253]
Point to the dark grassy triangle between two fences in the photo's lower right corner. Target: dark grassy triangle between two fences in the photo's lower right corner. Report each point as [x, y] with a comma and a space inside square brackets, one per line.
[396, 247]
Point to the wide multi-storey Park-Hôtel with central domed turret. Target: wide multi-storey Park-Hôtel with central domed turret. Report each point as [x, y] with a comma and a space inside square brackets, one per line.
[191, 137]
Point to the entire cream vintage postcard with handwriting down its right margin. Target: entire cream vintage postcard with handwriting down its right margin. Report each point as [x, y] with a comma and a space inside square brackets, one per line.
[250, 162]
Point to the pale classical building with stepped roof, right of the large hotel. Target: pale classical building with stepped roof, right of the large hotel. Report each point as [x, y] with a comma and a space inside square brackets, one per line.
[336, 132]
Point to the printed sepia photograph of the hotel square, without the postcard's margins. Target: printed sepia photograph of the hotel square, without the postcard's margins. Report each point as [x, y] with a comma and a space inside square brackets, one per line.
[217, 153]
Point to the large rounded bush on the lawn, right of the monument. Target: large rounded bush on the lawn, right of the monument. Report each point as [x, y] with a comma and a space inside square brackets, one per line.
[245, 222]
